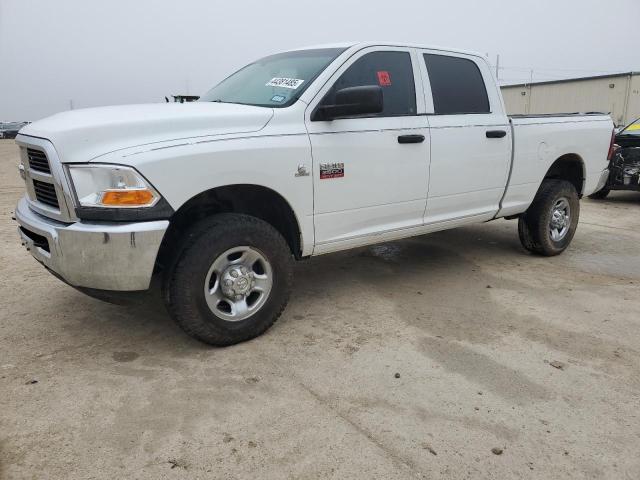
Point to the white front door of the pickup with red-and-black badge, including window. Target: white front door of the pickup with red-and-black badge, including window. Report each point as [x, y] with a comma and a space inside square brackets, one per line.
[366, 182]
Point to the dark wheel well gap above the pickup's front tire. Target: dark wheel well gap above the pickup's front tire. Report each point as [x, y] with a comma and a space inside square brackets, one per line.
[249, 199]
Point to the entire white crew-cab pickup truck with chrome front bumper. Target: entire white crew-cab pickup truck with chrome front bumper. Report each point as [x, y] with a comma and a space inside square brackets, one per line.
[300, 153]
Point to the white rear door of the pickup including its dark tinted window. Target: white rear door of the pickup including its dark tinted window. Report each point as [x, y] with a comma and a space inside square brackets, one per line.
[470, 138]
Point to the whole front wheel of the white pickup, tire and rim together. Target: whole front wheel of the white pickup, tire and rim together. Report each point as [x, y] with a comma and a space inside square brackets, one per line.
[231, 281]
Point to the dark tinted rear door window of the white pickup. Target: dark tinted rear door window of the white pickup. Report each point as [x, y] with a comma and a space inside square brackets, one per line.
[457, 85]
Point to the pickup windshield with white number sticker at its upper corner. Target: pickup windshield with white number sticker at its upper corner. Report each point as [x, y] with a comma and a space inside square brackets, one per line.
[274, 81]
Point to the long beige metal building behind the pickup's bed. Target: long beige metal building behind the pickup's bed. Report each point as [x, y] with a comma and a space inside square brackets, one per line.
[617, 94]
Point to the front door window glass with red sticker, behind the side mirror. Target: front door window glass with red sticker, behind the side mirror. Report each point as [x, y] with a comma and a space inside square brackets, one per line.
[390, 70]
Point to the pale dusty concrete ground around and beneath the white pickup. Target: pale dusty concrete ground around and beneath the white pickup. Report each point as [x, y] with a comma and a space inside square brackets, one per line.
[472, 324]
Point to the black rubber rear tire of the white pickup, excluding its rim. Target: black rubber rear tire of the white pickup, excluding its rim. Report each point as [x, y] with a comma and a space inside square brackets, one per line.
[534, 224]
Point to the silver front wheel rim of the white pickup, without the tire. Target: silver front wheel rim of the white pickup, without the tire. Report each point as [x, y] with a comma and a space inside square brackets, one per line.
[238, 283]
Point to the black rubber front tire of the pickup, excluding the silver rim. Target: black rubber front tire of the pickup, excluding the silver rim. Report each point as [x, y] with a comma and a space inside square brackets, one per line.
[184, 284]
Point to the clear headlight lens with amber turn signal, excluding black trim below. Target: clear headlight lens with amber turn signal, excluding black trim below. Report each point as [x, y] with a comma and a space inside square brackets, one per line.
[111, 186]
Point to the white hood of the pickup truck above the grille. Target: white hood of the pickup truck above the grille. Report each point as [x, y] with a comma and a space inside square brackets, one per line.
[83, 135]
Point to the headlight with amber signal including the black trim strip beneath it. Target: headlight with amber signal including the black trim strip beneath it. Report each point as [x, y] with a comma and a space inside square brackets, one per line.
[115, 193]
